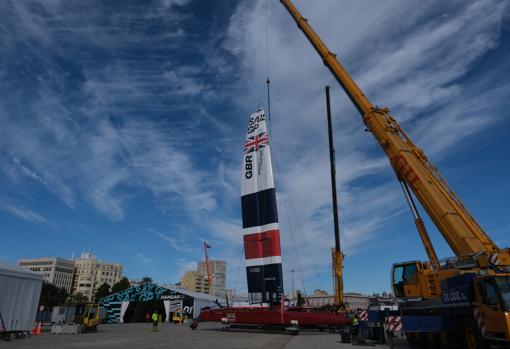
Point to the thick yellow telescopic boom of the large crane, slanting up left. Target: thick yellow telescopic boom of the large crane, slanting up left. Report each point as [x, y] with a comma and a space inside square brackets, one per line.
[456, 224]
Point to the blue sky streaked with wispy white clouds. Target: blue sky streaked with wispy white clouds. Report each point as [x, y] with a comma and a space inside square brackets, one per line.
[122, 124]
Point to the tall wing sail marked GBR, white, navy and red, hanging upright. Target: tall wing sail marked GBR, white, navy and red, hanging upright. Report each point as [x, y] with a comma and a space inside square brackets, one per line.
[261, 233]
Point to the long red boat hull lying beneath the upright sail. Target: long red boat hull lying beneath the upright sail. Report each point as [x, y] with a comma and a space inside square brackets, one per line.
[275, 317]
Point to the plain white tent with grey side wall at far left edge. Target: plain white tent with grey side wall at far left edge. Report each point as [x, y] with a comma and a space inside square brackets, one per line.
[20, 290]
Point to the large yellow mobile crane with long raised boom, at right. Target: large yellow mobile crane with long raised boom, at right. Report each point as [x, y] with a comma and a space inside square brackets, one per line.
[479, 265]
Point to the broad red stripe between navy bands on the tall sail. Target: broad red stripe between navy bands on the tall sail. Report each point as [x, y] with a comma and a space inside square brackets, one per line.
[265, 244]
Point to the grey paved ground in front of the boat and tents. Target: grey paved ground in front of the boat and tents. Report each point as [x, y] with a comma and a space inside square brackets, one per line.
[208, 336]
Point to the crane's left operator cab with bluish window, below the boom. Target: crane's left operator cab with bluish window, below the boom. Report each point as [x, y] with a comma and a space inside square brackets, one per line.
[405, 278]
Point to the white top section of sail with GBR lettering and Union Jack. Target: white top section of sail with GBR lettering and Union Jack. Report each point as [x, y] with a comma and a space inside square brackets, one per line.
[257, 172]
